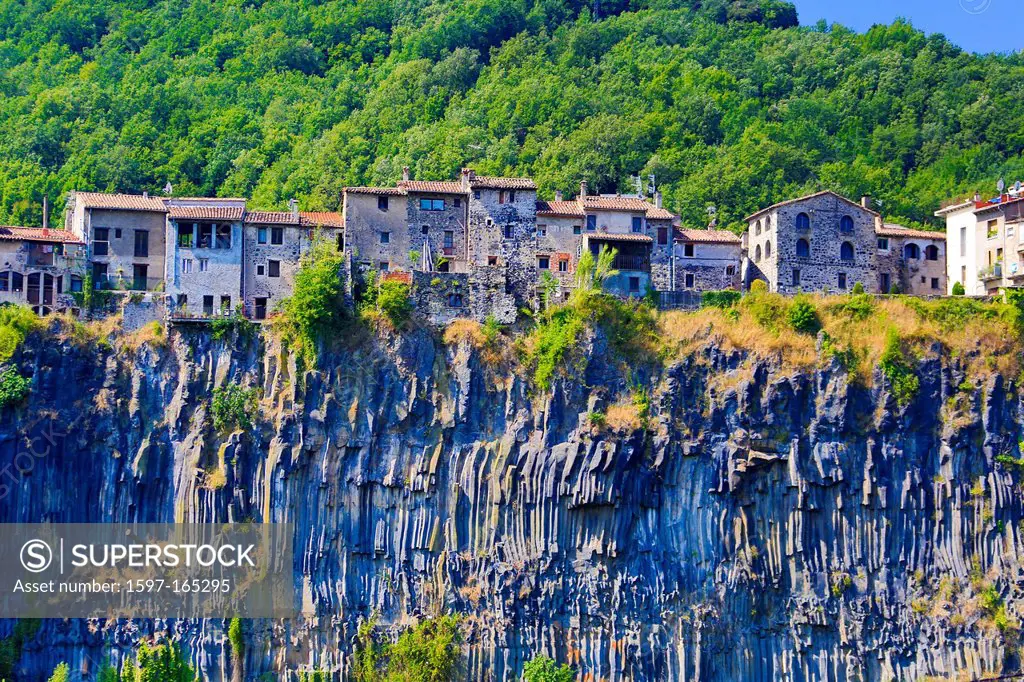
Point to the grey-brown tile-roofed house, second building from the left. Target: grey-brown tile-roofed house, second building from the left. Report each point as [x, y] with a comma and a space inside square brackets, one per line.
[125, 235]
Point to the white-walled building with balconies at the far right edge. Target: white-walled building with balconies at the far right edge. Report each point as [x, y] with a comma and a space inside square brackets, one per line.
[987, 250]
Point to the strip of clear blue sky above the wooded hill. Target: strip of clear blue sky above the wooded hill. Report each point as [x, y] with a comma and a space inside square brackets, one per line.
[978, 26]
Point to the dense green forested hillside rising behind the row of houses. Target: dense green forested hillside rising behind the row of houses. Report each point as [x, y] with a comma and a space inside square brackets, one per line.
[728, 104]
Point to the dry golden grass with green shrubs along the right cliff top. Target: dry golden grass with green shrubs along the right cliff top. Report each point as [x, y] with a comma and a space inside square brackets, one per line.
[862, 331]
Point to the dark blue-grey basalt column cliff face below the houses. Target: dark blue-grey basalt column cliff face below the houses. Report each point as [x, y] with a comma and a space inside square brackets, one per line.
[759, 524]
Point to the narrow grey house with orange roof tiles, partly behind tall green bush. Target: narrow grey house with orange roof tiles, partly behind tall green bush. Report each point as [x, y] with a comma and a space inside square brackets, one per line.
[274, 243]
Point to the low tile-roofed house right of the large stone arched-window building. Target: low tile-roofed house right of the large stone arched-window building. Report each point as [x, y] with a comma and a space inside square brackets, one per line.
[916, 260]
